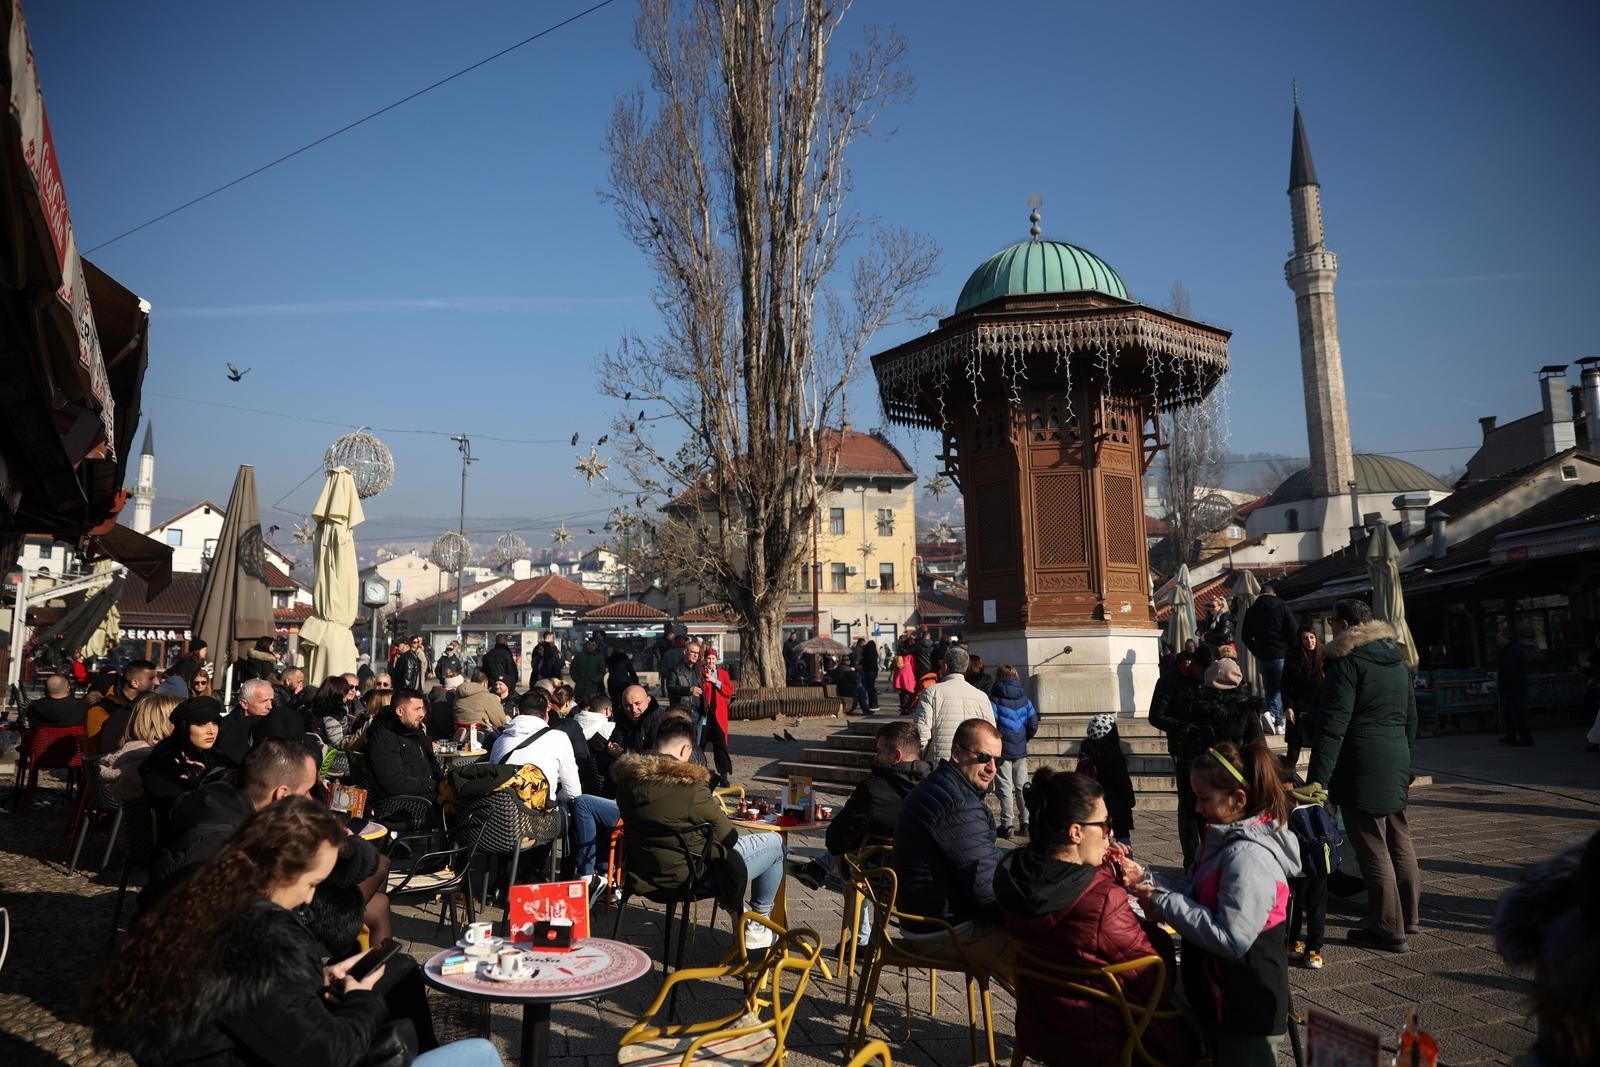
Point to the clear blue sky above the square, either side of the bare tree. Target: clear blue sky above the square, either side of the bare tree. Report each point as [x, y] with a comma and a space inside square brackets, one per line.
[450, 266]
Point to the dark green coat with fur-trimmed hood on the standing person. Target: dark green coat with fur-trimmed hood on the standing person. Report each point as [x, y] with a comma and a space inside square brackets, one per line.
[1367, 727]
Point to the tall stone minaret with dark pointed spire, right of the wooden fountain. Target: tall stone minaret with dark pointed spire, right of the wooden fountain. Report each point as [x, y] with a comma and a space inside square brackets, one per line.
[1311, 273]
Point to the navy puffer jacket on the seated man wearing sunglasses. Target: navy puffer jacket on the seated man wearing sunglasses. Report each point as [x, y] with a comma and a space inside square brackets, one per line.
[945, 852]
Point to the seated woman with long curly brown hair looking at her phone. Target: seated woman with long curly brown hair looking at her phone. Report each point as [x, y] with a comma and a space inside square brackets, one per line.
[222, 972]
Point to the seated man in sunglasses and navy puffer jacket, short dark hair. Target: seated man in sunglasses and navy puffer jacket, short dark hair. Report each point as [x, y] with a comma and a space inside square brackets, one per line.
[946, 857]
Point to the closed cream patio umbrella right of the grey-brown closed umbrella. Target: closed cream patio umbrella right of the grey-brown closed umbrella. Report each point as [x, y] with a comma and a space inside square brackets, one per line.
[335, 596]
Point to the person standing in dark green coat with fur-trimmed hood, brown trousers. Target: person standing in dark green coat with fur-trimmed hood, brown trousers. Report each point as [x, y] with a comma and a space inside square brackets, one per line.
[1367, 730]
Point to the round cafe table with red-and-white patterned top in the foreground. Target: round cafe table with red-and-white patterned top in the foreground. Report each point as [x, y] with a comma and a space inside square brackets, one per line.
[596, 965]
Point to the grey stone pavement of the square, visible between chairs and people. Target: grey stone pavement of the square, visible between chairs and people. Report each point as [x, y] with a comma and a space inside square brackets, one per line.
[1490, 813]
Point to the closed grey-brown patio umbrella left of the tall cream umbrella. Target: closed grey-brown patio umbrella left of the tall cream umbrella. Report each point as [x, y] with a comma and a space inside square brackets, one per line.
[234, 602]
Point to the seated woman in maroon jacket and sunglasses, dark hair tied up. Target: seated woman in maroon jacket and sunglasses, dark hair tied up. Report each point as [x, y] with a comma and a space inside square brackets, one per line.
[1063, 901]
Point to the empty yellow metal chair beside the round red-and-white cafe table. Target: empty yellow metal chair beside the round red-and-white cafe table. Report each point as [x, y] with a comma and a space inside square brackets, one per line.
[756, 1034]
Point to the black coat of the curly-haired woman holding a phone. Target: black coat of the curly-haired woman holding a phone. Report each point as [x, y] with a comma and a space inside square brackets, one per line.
[260, 1004]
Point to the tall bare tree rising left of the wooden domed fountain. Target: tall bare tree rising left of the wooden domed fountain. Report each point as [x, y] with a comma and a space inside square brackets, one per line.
[730, 175]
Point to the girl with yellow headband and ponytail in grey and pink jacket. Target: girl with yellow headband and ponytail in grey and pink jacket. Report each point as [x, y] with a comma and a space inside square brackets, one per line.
[1231, 911]
